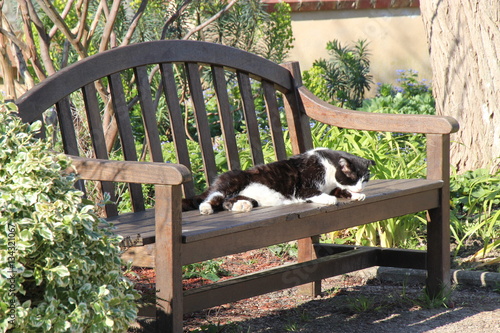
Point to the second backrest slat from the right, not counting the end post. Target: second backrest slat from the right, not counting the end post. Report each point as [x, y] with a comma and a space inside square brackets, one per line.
[250, 118]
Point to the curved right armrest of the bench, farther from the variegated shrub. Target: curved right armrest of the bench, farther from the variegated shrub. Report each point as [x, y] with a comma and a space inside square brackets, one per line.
[326, 113]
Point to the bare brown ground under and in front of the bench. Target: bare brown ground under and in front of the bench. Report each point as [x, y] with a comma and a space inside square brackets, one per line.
[350, 303]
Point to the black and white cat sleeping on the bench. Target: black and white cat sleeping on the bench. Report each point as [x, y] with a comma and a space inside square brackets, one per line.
[319, 176]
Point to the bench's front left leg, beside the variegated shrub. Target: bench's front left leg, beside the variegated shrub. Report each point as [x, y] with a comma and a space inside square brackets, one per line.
[168, 259]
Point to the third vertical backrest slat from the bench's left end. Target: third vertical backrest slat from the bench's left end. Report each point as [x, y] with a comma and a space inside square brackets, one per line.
[126, 135]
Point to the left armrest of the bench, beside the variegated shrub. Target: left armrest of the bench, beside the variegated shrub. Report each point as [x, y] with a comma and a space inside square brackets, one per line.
[130, 171]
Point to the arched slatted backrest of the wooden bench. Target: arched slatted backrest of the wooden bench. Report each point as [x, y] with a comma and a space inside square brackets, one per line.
[174, 101]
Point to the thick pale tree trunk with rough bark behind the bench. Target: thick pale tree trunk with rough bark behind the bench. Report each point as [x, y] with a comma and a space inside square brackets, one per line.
[464, 43]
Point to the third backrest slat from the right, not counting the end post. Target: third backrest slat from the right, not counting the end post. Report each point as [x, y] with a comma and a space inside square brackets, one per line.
[226, 119]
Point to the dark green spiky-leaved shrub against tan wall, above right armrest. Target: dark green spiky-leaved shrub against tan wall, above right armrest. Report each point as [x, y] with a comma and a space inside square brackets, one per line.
[342, 79]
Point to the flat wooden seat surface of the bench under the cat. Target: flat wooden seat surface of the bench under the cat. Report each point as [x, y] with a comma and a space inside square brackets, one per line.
[197, 227]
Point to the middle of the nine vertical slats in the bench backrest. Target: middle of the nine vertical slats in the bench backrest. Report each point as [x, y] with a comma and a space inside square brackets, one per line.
[176, 122]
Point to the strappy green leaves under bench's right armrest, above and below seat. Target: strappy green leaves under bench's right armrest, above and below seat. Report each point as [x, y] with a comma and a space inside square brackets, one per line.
[396, 156]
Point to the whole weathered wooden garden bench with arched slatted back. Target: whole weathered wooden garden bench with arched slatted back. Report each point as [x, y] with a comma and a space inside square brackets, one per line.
[154, 84]
